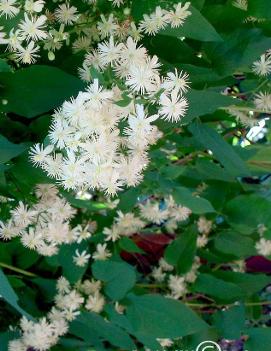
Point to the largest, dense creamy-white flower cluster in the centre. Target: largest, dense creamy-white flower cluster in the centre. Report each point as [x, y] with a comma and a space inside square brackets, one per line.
[96, 141]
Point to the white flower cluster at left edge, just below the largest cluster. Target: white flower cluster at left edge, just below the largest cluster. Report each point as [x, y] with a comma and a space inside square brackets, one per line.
[44, 226]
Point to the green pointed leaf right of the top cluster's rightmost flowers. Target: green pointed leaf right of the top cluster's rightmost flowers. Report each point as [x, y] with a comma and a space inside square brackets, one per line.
[191, 26]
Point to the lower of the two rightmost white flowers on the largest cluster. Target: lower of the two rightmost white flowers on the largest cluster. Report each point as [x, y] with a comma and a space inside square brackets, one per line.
[172, 108]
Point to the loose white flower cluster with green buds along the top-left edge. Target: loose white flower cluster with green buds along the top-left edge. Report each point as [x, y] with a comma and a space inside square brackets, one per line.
[79, 24]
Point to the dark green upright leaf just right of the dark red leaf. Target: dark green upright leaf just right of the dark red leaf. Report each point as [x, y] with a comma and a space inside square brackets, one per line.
[181, 252]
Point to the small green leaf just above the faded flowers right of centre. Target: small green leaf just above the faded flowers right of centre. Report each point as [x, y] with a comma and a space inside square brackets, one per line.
[198, 205]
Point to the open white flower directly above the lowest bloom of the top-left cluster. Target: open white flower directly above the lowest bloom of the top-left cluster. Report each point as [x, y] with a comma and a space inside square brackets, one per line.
[32, 28]
